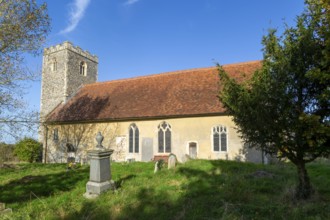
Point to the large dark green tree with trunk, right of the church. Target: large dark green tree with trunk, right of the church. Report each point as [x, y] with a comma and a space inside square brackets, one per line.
[284, 108]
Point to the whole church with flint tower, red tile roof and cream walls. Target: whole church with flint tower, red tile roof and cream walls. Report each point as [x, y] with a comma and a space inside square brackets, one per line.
[141, 118]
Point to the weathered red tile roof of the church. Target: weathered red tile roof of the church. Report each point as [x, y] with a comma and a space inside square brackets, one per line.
[175, 94]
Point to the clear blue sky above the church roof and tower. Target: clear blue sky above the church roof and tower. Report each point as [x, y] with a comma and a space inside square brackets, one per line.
[141, 37]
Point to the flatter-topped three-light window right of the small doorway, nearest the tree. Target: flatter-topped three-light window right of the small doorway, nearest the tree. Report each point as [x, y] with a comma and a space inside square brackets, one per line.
[219, 134]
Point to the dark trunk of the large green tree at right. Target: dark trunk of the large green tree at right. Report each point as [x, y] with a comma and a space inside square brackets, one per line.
[304, 189]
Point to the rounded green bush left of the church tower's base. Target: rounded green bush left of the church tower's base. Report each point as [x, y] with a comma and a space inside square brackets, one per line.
[28, 150]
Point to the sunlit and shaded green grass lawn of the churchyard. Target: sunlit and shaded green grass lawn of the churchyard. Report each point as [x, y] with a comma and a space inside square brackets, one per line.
[198, 189]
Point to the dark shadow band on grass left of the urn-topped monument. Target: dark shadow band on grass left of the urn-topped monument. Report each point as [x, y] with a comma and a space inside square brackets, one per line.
[21, 190]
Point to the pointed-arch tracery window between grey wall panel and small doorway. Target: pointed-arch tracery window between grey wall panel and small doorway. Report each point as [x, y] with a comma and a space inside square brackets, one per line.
[164, 137]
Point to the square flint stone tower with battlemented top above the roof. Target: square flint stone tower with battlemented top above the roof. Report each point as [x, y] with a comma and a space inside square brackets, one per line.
[65, 69]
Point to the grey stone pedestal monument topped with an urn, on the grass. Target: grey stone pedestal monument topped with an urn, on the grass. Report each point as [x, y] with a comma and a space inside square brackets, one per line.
[100, 171]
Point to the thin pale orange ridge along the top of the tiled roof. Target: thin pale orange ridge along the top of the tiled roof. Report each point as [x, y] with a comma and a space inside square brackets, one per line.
[168, 73]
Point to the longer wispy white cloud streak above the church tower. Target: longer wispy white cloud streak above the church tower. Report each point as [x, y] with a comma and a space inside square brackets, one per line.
[76, 14]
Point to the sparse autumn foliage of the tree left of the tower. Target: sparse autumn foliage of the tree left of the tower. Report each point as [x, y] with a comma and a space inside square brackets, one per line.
[23, 28]
